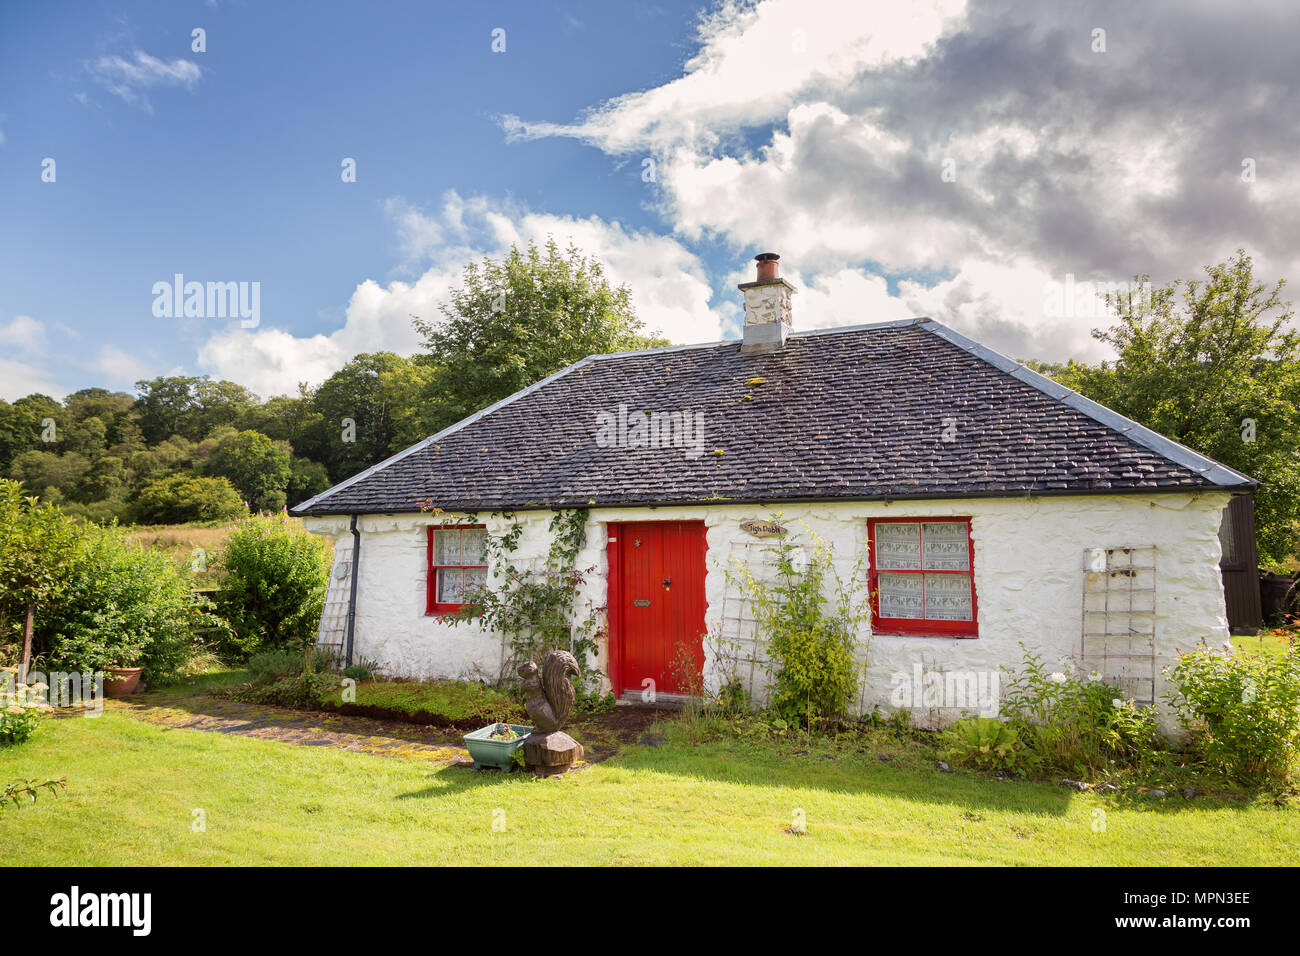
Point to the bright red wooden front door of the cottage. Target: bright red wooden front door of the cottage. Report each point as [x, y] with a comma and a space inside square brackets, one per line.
[658, 602]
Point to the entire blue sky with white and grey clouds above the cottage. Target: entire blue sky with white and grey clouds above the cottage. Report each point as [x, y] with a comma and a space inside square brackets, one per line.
[817, 129]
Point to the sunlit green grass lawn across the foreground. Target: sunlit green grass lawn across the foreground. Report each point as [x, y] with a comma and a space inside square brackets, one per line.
[133, 791]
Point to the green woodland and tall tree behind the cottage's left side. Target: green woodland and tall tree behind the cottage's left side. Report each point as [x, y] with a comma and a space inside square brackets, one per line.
[192, 449]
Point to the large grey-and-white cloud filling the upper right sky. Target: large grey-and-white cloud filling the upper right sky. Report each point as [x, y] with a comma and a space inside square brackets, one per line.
[824, 132]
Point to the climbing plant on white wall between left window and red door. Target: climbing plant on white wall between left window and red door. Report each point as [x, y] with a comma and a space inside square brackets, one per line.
[535, 608]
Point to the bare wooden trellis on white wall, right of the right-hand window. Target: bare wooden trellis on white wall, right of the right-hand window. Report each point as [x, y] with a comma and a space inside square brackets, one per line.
[1120, 618]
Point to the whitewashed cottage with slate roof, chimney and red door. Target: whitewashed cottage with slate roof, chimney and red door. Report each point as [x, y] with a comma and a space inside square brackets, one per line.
[989, 507]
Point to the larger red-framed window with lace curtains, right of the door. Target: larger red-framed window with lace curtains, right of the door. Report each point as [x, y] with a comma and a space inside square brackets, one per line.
[922, 577]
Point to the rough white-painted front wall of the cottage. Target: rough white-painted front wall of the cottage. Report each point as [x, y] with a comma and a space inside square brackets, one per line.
[1029, 579]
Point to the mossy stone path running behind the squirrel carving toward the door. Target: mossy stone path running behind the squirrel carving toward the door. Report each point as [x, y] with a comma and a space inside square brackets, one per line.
[603, 734]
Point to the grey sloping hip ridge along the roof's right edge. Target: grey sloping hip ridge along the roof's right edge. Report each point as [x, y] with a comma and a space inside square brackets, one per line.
[1207, 468]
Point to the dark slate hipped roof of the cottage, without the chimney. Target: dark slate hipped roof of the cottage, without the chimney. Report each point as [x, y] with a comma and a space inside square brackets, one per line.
[840, 414]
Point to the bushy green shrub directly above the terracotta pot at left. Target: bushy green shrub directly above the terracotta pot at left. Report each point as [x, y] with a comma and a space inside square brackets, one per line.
[124, 607]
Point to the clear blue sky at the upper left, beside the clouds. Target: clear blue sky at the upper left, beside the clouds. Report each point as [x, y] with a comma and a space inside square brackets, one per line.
[239, 176]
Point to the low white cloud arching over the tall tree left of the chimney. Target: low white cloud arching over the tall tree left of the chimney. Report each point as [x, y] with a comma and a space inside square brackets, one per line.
[670, 289]
